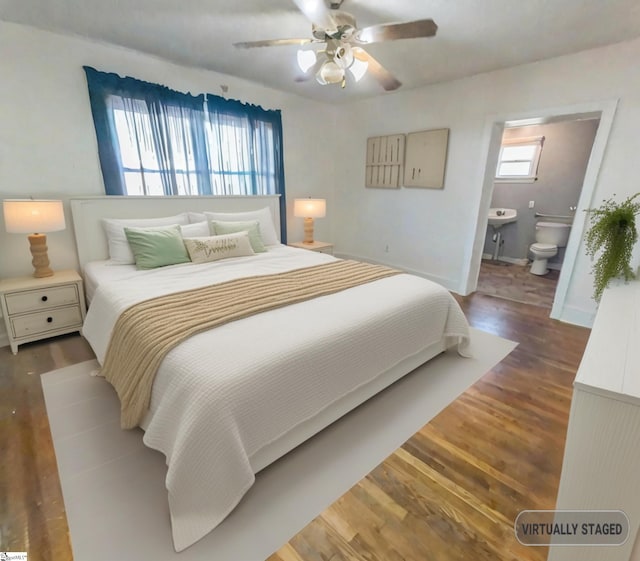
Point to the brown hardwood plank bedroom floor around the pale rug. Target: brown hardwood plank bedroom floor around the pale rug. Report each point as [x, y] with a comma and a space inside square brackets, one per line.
[451, 492]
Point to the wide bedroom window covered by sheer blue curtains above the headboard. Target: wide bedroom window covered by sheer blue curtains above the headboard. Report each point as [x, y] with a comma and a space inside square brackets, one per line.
[156, 141]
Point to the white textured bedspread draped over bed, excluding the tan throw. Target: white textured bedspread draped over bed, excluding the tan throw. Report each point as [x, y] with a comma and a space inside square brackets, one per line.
[223, 395]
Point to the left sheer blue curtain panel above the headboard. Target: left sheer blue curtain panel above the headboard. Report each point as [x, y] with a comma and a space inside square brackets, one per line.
[166, 144]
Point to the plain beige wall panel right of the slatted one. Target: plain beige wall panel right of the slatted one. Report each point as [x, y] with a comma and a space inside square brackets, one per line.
[426, 158]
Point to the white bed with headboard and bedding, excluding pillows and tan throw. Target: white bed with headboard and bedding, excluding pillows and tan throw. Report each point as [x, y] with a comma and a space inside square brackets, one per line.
[229, 401]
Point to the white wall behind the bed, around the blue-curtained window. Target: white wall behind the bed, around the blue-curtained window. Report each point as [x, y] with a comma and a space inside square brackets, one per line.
[47, 139]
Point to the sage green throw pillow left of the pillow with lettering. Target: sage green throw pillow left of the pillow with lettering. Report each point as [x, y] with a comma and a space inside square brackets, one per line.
[157, 247]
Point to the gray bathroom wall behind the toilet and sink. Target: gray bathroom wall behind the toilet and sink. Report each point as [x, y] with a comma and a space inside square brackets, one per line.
[563, 162]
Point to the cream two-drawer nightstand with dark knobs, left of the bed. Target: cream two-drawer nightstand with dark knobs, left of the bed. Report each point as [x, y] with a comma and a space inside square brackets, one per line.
[37, 308]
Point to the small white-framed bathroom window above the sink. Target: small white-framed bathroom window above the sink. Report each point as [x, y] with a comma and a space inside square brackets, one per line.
[518, 160]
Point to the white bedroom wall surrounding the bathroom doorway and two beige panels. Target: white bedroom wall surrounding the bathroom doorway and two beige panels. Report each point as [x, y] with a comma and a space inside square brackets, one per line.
[432, 231]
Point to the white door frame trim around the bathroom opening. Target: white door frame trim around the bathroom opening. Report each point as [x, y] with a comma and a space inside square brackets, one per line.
[604, 111]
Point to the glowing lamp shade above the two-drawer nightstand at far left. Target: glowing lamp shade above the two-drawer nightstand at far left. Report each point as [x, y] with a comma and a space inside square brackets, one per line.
[28, 216]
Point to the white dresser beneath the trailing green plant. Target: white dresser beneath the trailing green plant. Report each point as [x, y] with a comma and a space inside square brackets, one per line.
[601, 467]
